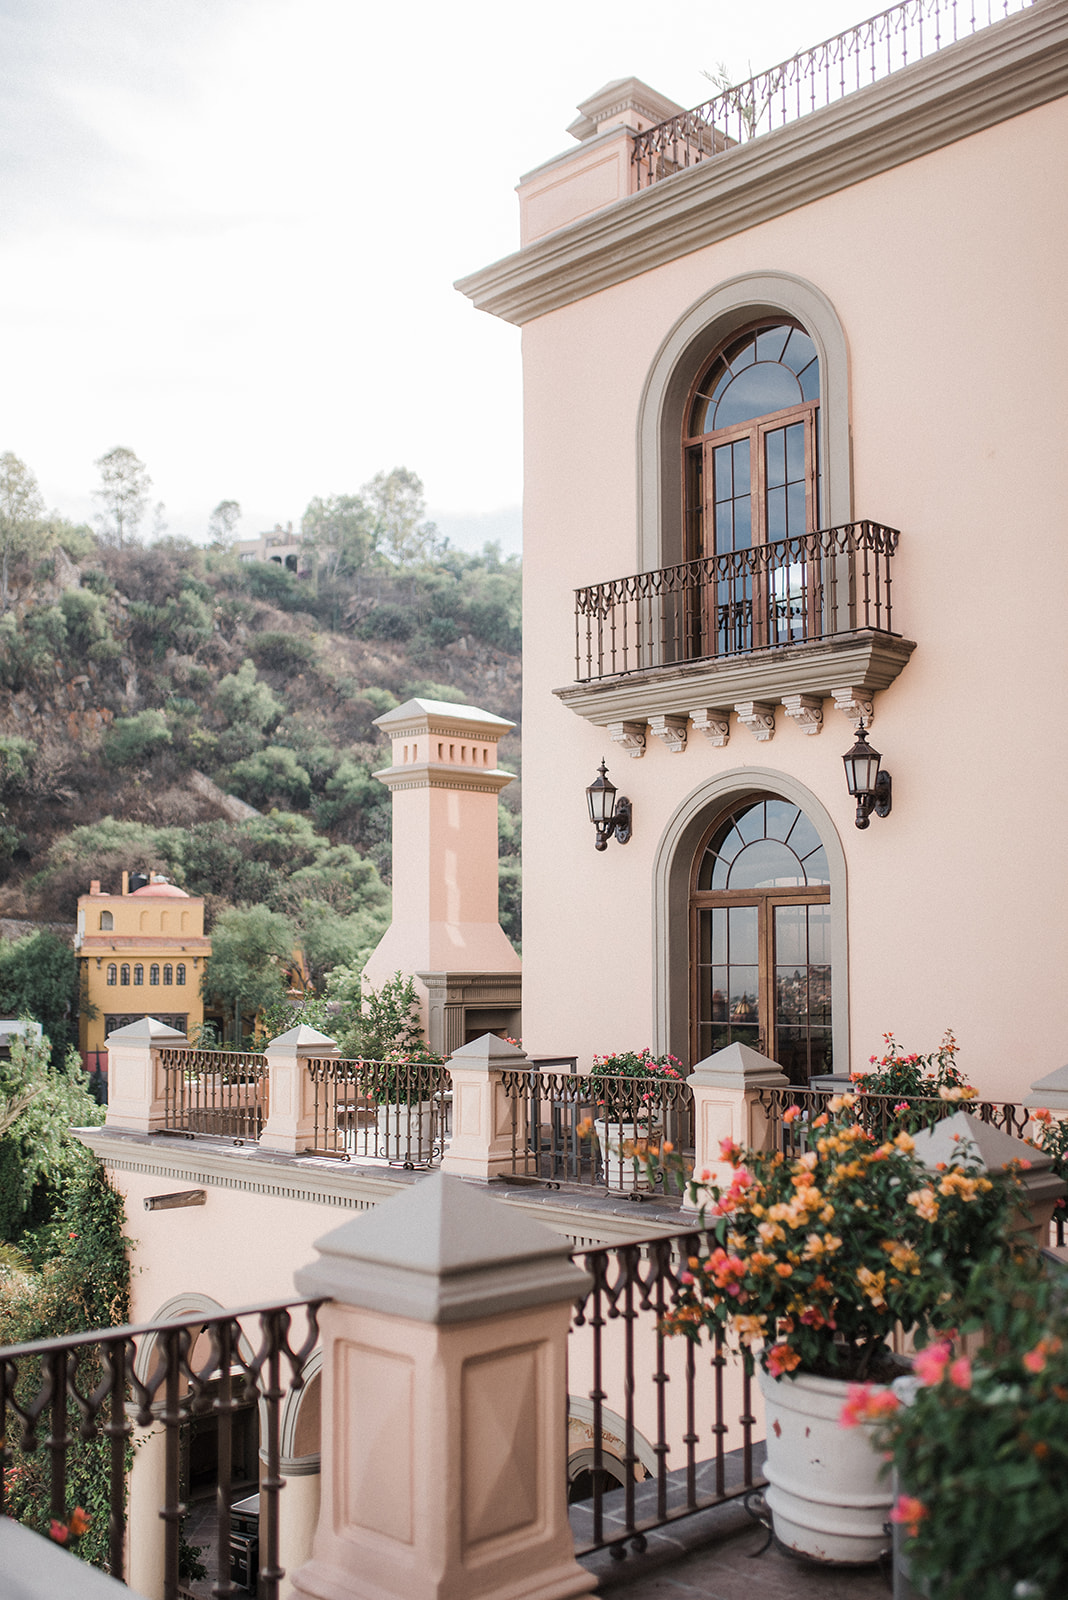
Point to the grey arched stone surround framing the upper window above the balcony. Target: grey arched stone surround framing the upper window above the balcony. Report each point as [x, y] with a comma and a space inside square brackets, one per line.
[685, 351]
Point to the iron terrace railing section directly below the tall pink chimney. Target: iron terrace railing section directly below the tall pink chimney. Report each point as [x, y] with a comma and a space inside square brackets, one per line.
[388, 1111]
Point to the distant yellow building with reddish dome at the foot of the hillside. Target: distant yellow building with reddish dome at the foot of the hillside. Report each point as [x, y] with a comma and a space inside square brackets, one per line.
[143, 953]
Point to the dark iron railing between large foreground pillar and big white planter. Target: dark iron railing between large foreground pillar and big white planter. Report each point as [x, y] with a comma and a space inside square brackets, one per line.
[639, 1286]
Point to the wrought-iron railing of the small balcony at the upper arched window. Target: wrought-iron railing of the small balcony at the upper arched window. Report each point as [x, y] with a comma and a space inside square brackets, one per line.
[784, 593]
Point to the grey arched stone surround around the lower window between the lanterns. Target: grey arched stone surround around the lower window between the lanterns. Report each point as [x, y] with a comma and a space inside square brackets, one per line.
[671, 902]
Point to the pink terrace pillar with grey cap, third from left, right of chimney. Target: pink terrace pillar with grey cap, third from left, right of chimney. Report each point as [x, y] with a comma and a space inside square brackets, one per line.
[484, 1132]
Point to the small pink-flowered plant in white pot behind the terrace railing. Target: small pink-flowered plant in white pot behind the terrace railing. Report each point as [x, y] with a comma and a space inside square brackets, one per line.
[631, 1113]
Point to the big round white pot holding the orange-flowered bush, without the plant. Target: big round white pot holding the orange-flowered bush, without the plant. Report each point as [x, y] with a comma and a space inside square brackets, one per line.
[829, 1494]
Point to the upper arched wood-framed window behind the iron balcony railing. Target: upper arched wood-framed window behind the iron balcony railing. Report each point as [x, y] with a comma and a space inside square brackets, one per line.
[751, 462]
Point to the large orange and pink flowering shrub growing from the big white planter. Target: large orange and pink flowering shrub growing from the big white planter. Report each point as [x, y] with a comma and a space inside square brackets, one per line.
[818, 1258]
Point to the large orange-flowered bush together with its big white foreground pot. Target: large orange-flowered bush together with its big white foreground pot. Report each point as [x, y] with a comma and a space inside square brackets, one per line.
[816, 1265]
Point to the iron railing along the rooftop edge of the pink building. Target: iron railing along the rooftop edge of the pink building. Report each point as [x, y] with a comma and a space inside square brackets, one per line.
[811, 81]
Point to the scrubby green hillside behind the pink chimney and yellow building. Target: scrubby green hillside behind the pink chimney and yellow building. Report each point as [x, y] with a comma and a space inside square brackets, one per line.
[145, 686]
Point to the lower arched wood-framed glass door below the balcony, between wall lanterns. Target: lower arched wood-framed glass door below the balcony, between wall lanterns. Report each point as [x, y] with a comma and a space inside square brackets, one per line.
[760, 938]
